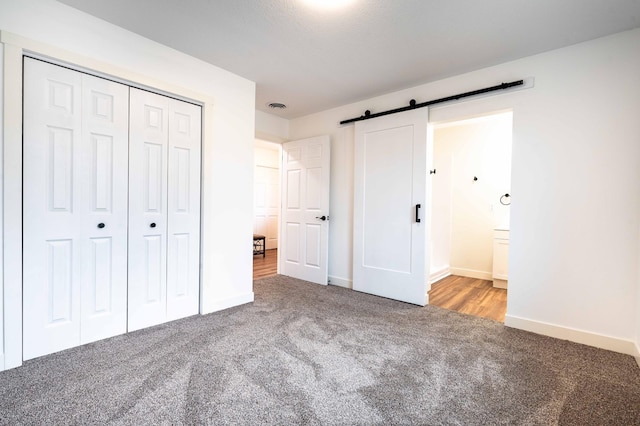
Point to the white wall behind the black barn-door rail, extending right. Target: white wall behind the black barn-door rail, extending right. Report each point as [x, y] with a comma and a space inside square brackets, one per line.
[575, 215]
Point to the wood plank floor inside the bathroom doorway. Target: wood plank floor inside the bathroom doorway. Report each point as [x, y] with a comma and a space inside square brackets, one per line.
[470, 296]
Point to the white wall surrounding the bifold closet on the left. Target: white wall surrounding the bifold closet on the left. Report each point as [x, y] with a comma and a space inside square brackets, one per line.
[54, 29]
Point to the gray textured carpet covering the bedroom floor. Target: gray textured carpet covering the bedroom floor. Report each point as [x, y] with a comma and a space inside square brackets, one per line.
[309, 354]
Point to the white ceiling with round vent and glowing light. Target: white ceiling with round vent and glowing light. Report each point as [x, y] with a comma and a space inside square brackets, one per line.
[312, 60]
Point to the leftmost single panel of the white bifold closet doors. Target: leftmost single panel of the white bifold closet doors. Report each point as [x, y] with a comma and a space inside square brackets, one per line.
[52, 146]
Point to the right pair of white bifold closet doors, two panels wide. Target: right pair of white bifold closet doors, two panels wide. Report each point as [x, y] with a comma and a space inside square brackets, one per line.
[164, 206]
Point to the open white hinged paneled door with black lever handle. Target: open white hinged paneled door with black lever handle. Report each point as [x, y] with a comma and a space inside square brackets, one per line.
[305, 209]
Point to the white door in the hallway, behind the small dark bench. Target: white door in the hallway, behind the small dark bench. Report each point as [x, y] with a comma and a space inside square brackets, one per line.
[267, 204]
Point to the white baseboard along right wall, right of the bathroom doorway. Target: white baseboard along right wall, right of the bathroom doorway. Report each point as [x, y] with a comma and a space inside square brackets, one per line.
[573, 335]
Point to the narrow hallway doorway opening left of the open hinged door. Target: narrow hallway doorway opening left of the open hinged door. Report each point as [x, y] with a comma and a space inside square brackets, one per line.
[266, 202]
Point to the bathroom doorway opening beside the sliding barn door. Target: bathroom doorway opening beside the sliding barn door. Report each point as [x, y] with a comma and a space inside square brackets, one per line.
[471, 177]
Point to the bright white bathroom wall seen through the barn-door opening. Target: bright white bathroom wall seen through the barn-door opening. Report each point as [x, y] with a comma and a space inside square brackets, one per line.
[481, 148]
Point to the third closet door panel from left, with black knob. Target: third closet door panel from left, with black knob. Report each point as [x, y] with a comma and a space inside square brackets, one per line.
[148, 152]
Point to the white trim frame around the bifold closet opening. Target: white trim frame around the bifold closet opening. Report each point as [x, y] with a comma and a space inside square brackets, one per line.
[14, 48]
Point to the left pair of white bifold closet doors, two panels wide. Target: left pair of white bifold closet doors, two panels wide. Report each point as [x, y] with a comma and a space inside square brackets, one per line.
[75, 208]
